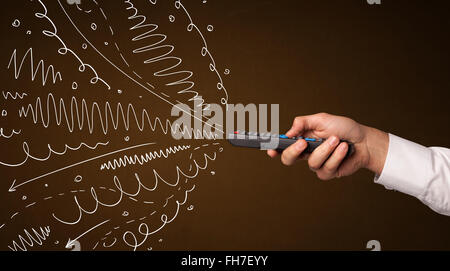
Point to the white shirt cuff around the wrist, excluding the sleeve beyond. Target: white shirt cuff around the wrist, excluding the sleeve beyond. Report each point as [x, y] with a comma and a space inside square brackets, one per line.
[406, 167]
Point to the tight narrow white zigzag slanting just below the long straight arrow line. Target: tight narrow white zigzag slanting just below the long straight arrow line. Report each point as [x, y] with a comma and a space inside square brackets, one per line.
[143, 158]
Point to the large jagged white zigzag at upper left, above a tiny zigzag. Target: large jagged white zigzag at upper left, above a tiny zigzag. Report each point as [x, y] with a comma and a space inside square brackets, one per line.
[34, 69]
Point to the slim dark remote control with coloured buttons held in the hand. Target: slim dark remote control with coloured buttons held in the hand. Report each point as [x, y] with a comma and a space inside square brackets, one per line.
[254, 140]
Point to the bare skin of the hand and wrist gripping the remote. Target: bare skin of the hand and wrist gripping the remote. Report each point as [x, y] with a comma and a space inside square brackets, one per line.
[327, 161]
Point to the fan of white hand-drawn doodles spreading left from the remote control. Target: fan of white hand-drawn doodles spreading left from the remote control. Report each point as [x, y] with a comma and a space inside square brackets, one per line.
[104, 133]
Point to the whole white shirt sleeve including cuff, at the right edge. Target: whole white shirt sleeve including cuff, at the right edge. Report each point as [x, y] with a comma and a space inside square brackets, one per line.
[418, 171]
